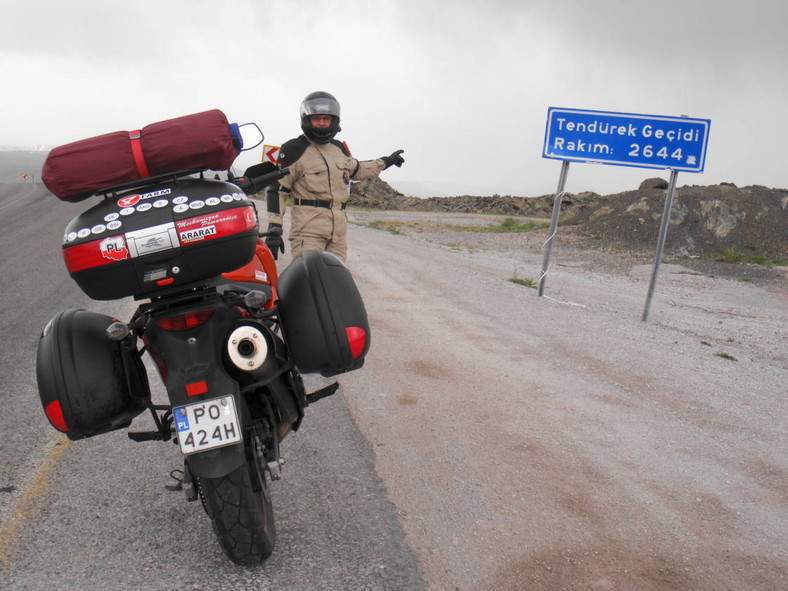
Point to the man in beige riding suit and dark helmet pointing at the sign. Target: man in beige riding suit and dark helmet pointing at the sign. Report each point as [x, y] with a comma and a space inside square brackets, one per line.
[321, 169]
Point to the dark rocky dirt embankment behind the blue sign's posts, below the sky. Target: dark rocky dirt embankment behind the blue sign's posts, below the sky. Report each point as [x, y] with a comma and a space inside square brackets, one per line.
[705, 220]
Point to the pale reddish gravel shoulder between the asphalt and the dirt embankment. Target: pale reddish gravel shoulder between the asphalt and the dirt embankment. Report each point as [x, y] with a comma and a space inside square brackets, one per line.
[560, 442]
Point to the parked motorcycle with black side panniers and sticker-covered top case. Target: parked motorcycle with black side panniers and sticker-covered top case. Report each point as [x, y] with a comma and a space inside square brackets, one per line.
[229, 336]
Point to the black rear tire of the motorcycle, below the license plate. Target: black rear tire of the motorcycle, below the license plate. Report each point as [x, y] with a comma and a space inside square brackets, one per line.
[242, 515]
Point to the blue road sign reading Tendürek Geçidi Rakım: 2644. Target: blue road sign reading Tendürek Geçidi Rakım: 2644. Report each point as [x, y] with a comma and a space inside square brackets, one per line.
[626, 139]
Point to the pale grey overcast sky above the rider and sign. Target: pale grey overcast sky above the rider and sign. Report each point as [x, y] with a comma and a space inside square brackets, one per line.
[462, 86]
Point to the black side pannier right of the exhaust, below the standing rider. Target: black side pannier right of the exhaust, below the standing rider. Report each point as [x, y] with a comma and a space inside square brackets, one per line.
[323, 316]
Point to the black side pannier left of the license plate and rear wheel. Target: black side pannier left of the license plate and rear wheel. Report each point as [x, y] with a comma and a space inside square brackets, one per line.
[88, 383]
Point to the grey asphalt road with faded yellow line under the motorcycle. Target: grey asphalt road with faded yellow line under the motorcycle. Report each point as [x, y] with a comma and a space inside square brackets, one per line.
[97, 514]
